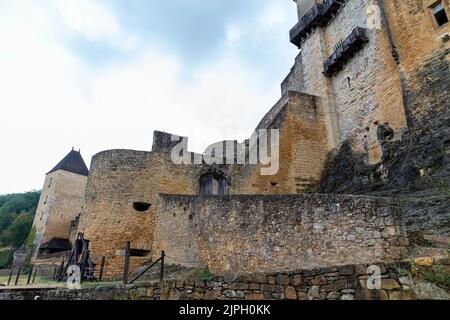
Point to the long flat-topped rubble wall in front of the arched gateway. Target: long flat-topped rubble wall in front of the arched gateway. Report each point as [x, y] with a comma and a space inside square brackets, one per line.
[269, 233]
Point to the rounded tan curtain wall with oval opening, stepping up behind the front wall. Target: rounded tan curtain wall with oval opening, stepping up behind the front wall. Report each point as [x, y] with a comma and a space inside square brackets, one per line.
[120, 178]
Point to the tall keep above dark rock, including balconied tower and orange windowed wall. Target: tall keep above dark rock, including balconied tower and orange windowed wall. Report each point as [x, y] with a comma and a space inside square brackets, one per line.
[372, 62]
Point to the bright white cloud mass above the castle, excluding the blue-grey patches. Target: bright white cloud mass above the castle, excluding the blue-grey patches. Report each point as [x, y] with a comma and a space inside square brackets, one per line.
[51, 100]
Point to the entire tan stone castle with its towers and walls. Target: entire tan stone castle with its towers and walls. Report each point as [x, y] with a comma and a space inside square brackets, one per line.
[362, 65]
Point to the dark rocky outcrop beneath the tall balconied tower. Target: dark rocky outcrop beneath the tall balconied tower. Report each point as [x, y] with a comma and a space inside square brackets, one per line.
[419, 160]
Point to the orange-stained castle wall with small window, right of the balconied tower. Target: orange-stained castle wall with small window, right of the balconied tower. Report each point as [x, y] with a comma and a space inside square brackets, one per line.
[424, 50]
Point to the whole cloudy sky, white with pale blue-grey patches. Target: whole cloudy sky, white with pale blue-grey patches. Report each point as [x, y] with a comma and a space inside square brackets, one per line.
[98, 75]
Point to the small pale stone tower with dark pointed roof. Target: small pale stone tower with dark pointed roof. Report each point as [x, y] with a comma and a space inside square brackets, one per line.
[60, 204]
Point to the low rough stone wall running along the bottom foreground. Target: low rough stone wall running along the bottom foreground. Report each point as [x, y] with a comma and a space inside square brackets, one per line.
[349, 282]
